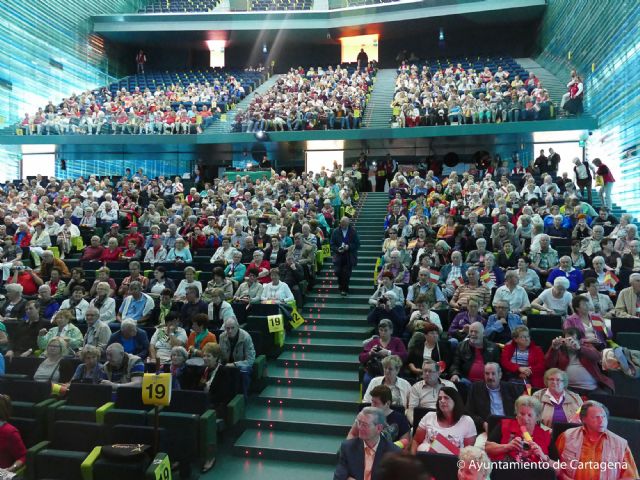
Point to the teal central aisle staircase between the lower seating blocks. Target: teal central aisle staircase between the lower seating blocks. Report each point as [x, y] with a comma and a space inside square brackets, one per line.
[298, 421]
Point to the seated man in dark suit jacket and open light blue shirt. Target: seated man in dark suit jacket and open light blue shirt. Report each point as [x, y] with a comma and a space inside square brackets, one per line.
[492, 396]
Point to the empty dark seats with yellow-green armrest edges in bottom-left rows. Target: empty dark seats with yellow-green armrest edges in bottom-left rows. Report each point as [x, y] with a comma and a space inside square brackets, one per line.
[62, 435]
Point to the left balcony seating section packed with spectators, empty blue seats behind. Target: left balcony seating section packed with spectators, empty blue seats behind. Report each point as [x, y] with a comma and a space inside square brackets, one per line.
[126, 107]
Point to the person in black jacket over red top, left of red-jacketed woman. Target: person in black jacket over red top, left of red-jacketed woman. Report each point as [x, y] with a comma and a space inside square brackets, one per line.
[472, 354]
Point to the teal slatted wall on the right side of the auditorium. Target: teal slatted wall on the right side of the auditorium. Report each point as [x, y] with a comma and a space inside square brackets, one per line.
[601, 40]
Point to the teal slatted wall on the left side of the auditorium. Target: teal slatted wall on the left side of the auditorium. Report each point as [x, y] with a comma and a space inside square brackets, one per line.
[47, 51]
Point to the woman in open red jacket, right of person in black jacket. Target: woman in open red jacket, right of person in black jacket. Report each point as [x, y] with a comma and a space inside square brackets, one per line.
[522, 360]
